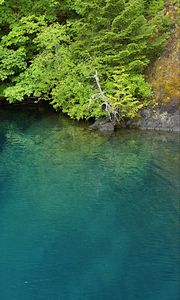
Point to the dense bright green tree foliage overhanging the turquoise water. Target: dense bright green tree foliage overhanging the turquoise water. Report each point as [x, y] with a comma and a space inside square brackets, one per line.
[51, 50]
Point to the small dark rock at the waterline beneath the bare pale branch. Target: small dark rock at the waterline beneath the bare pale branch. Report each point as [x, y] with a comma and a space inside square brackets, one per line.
[103, 125]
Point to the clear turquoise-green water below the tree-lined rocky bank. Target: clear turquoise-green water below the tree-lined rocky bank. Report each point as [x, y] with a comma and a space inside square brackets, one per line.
[85, 216]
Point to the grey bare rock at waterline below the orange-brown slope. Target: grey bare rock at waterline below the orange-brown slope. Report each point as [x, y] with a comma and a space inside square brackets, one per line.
[159, 119]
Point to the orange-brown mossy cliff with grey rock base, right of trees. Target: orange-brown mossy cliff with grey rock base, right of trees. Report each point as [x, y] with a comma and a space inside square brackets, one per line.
[163, 76]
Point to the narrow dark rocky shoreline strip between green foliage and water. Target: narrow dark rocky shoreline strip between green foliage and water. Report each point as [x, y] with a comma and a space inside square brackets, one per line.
[162, 118]
